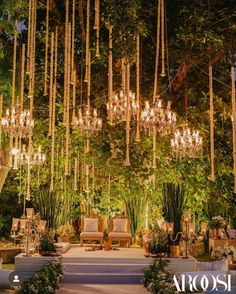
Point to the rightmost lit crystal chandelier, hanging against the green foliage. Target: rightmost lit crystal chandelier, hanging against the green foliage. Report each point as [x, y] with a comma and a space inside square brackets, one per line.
[187, 142]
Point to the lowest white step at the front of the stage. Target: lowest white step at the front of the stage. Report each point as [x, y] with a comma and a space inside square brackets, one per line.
[102, 278]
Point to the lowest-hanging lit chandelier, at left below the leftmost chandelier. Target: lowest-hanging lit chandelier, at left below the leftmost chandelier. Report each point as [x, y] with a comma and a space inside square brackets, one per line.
[36, 158]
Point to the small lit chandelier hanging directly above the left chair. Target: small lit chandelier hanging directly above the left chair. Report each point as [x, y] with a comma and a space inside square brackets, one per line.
[88, 120]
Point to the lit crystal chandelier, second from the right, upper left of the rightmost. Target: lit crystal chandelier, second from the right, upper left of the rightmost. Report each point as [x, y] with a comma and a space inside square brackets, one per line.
[156, 116]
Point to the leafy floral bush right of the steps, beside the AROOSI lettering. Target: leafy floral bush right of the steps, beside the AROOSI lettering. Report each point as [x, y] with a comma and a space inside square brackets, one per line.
[158, 279]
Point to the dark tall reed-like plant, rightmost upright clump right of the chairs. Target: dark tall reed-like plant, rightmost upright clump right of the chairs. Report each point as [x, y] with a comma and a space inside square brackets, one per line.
[173, 203]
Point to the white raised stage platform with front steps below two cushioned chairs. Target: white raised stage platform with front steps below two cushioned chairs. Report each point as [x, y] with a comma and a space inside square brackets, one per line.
[121, 266]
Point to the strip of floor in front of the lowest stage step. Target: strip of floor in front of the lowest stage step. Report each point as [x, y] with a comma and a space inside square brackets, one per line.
[101, 289]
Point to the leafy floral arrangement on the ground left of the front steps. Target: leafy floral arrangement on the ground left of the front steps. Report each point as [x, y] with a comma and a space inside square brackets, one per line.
[45, 281]
